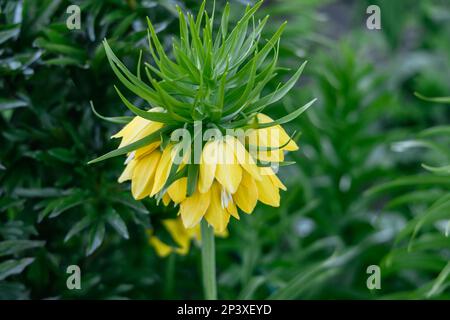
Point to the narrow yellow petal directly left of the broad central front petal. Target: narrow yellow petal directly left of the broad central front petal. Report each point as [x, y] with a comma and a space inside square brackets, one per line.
[208, 162]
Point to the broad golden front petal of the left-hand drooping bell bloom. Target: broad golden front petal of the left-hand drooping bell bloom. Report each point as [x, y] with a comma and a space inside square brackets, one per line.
[143, 175]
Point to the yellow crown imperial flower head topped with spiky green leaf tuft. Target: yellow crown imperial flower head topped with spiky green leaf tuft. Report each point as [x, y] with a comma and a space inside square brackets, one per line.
[204, 143]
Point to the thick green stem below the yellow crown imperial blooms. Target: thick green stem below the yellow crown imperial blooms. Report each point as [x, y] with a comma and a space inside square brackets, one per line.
[208, 261]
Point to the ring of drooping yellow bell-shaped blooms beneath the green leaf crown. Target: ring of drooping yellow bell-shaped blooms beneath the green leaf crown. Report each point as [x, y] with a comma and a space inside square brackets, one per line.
[228, 175]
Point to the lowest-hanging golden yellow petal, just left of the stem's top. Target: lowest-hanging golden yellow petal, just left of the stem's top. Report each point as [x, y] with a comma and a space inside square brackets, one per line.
[193, 208]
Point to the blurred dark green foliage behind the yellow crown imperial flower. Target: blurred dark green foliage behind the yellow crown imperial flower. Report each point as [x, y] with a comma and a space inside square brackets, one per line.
[370, 186]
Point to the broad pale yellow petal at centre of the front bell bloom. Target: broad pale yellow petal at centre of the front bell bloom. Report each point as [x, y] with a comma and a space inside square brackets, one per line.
[228, 171]
